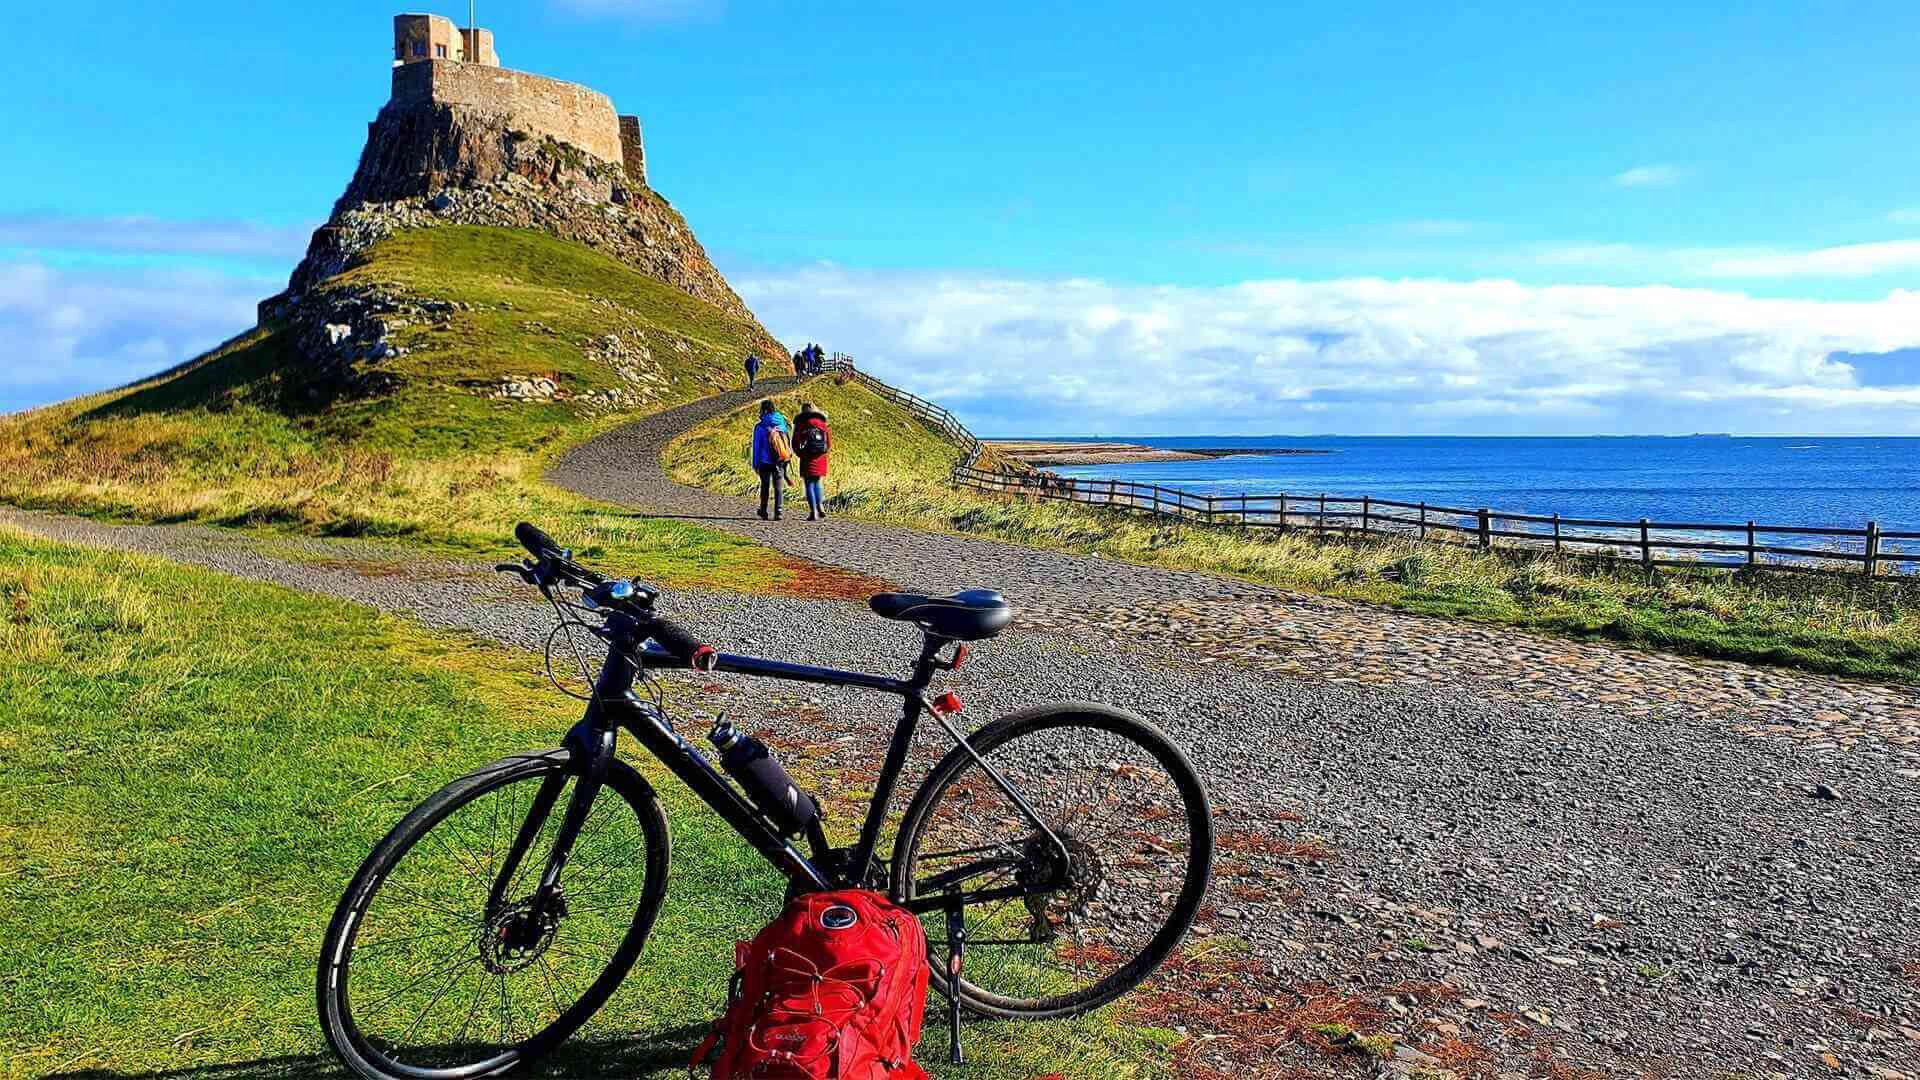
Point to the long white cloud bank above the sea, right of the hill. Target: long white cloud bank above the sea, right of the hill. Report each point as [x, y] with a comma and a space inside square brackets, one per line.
[1366, 355]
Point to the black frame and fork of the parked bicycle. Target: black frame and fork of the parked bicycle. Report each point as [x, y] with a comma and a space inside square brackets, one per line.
[615, 706]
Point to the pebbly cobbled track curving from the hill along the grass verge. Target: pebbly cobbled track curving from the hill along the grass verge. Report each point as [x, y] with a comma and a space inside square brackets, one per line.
[1220, 620]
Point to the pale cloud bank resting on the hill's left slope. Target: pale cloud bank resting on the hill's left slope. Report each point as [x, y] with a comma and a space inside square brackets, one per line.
[68, 331]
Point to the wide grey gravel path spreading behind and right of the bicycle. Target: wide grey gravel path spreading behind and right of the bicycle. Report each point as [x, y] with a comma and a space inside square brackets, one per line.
[1550, 885]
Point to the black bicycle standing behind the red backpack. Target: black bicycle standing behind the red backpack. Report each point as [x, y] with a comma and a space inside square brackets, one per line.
[1057, 854]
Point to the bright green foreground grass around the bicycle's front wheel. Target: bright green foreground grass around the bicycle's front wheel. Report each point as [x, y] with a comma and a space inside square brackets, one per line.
[193, 768]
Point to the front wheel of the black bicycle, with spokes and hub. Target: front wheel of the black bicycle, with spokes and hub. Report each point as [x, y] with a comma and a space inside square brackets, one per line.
[437, 970]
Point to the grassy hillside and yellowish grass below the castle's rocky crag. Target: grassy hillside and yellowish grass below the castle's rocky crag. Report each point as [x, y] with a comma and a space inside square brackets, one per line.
[258, 435]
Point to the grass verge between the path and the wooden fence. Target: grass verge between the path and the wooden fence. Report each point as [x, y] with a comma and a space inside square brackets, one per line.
[890, 468]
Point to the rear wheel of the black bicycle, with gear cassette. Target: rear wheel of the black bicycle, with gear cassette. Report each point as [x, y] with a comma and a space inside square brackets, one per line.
[1140, 850]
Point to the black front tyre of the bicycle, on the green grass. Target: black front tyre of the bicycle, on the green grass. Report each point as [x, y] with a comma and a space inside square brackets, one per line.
[337, 952]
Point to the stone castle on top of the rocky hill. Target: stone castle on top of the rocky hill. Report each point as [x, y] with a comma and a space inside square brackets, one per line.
[441, 64]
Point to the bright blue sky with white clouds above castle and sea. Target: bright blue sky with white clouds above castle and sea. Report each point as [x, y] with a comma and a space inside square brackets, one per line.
[1105, 218]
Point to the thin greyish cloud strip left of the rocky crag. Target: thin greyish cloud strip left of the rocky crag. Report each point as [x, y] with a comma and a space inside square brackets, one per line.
[153, 235]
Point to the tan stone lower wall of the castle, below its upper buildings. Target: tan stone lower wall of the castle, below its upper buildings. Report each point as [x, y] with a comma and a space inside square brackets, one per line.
[527, 103]
